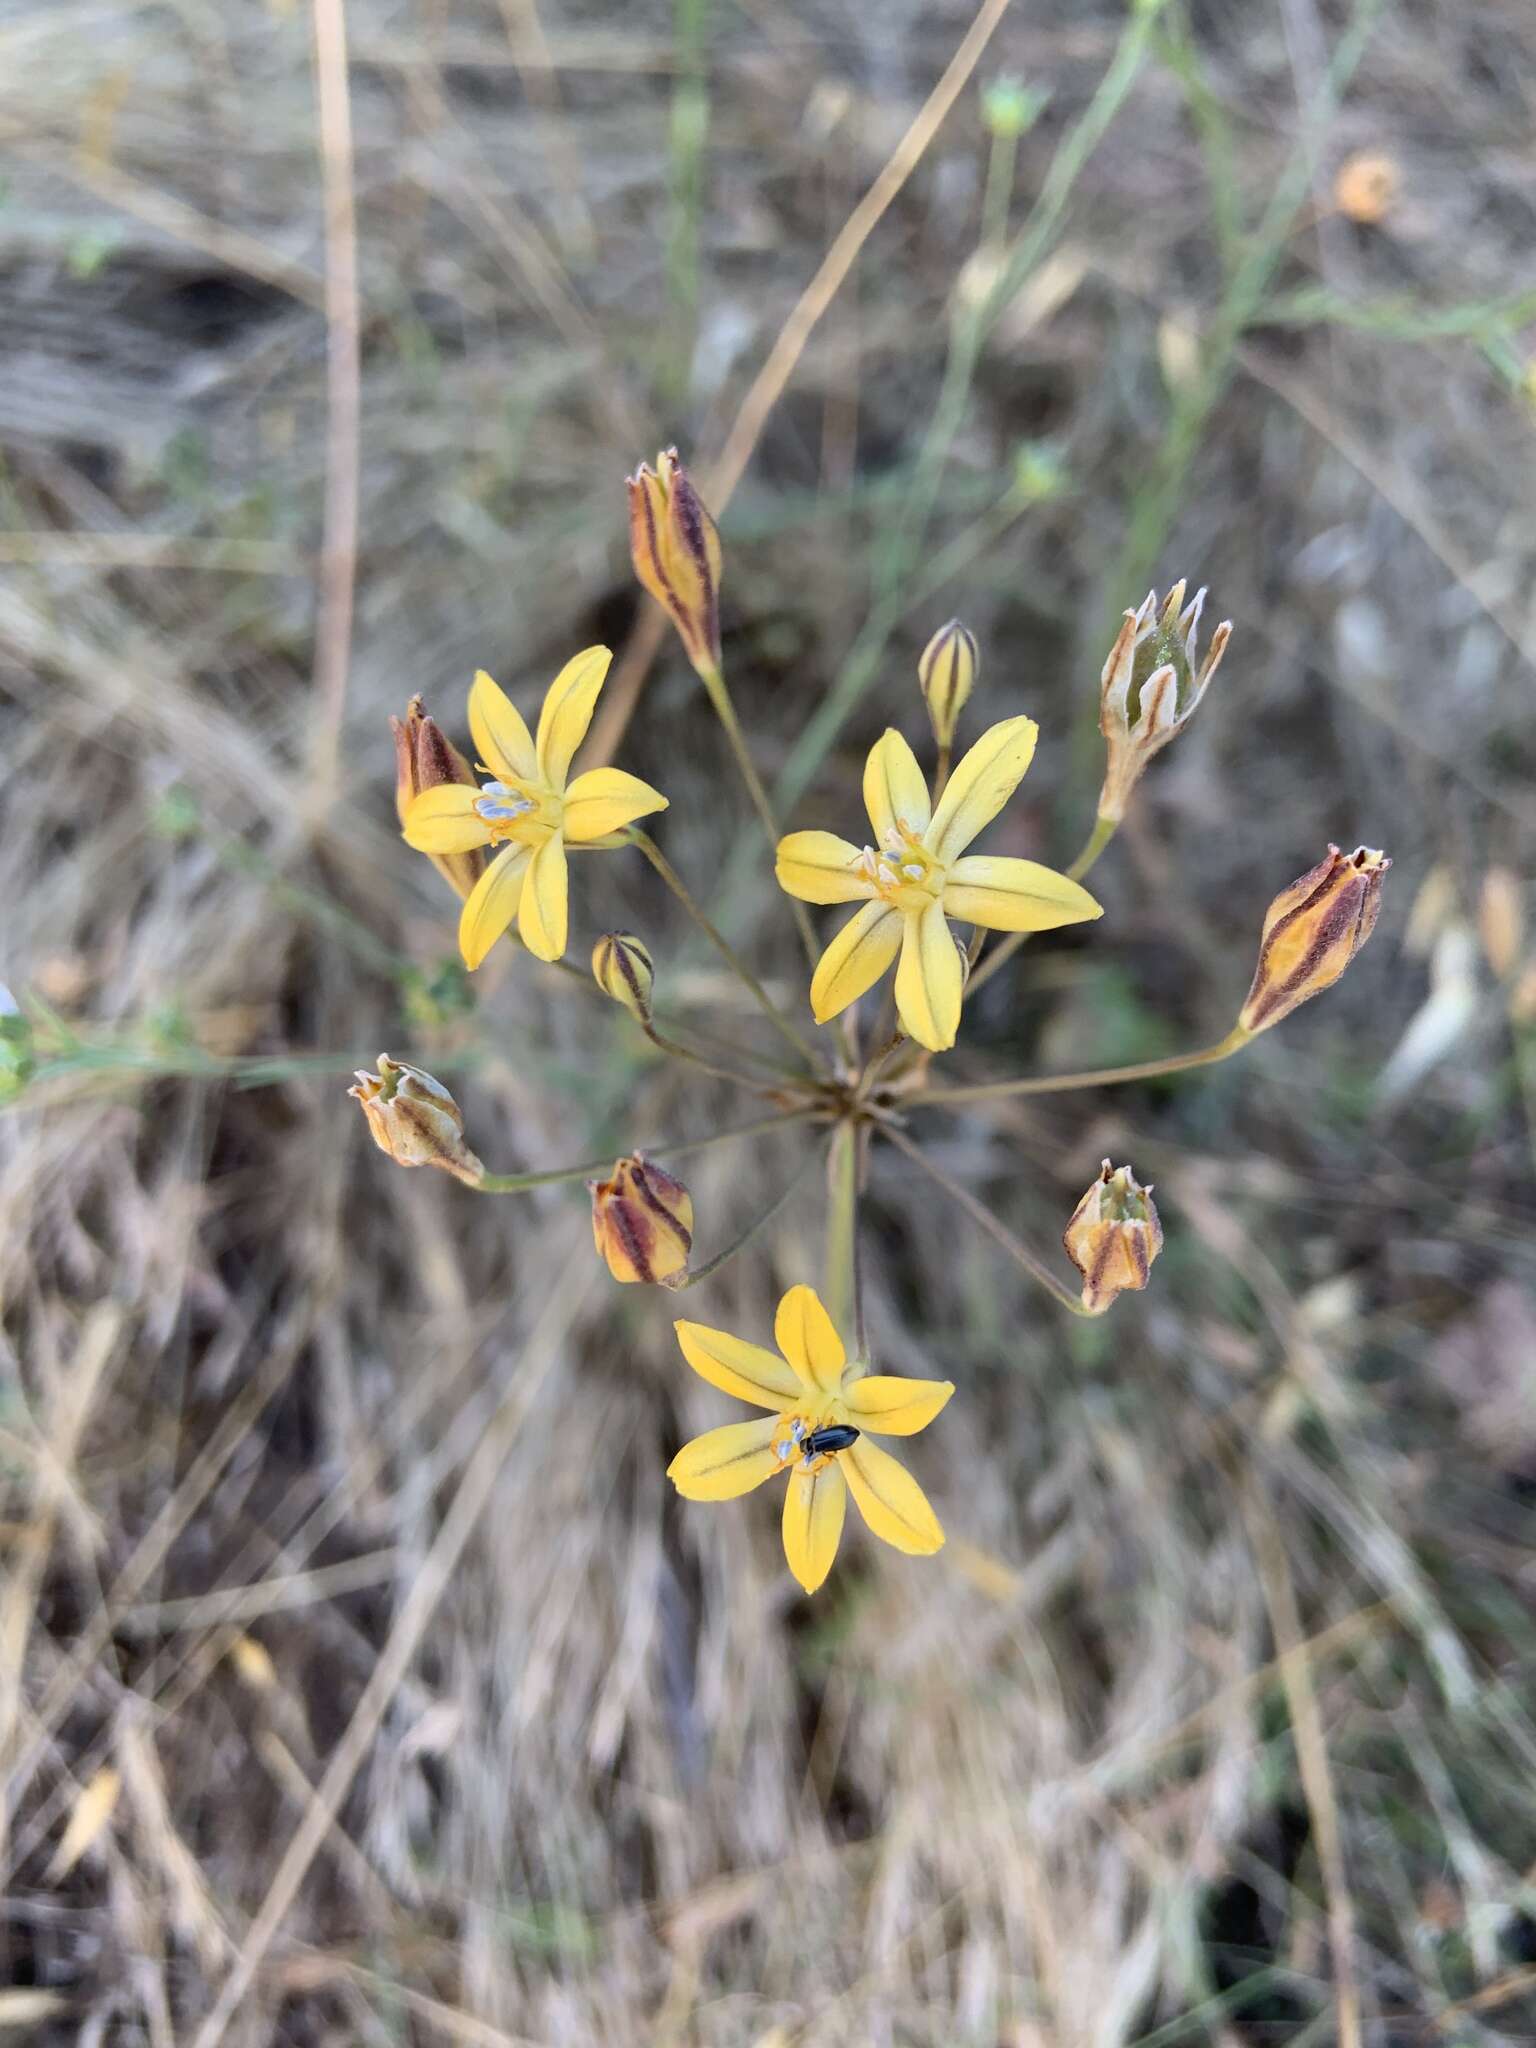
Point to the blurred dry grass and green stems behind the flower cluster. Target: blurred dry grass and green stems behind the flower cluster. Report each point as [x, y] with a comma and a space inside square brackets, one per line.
[357, 1666]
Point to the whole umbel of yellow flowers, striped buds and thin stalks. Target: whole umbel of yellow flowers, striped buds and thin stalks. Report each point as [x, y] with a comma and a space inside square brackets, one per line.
[925, 904]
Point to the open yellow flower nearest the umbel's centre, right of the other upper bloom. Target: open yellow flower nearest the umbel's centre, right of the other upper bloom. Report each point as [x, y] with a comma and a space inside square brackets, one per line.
[919, 876]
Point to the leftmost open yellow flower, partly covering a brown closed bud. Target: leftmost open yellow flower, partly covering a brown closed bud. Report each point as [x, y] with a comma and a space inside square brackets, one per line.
[529, 808]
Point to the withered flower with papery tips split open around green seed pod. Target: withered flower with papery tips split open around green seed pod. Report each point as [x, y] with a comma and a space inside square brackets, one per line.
[1152, 687]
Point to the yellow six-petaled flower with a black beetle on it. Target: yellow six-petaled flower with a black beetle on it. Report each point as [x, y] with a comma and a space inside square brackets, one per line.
[824, 1414]
